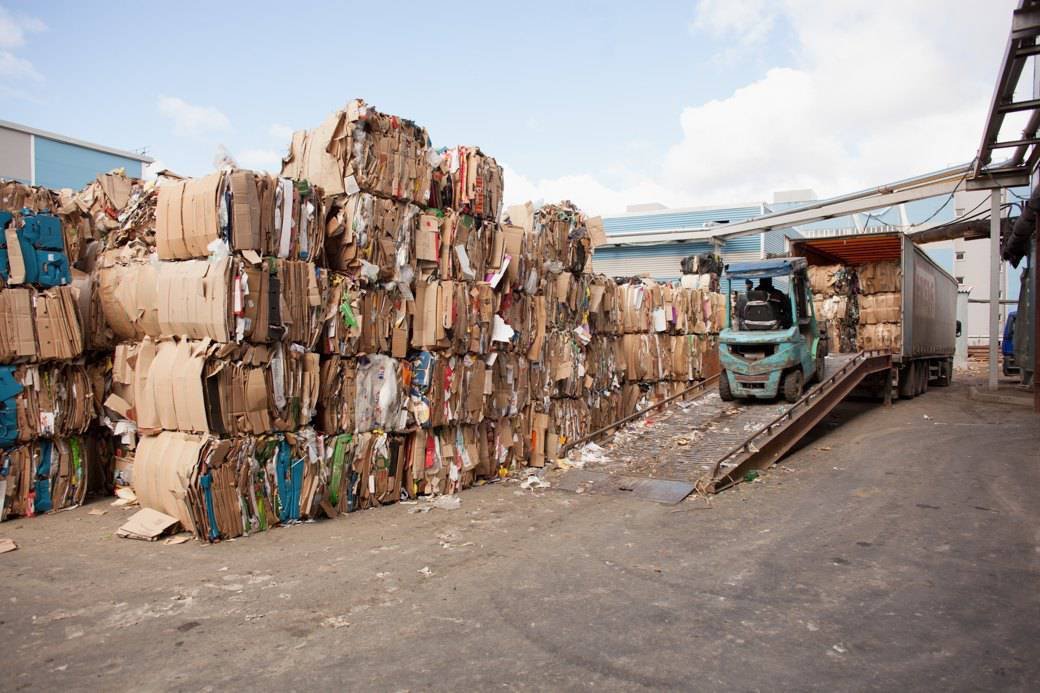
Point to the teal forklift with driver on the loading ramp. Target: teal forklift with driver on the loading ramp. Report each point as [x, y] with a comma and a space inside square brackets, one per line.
[771, 344]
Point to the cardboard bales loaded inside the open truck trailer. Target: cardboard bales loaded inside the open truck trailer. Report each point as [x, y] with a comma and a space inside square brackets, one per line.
[862, 305]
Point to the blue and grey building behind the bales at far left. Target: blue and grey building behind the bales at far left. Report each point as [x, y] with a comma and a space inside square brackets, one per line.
[45, 159]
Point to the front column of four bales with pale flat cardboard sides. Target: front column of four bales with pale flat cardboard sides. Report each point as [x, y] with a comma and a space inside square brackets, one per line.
[216, 370]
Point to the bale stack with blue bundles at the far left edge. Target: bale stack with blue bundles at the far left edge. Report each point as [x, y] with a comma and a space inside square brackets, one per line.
[46, 390]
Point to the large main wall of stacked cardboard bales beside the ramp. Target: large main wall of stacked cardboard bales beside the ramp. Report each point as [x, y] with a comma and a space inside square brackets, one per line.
[360, 330]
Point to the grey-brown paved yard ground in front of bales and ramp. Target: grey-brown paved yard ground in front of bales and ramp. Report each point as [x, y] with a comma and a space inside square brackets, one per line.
[898, 549]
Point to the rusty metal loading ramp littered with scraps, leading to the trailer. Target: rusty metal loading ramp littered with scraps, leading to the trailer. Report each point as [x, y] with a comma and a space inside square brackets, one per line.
[706, 445]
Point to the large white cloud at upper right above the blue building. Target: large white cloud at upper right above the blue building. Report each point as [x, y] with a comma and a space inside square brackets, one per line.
[876, 92]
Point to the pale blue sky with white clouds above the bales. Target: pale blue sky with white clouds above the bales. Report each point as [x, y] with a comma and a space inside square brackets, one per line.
[604, 104]
